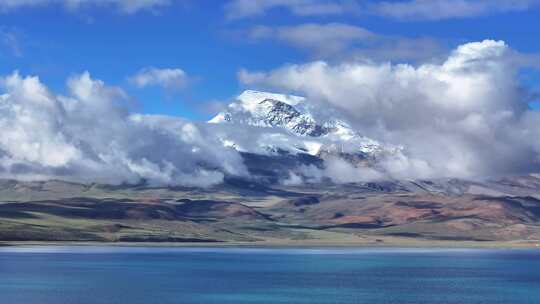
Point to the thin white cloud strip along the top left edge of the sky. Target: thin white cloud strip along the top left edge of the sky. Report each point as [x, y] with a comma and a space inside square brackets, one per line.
[124, 6]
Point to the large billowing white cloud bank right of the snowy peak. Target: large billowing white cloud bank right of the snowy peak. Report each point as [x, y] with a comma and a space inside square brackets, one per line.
[465, 117]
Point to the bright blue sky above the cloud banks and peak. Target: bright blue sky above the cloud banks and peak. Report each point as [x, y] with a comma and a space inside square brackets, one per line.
[211, 42]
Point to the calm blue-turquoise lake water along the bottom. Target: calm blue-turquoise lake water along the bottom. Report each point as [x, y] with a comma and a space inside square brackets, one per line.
[95, 275]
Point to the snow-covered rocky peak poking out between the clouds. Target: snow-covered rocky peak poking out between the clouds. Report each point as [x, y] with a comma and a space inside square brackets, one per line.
[293, 116]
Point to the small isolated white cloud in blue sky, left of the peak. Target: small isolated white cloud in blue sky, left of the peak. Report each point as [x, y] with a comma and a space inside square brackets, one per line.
[170, 79]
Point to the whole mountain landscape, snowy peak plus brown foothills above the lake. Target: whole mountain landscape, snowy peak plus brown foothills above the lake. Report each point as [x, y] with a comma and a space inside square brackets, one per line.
[281, 202]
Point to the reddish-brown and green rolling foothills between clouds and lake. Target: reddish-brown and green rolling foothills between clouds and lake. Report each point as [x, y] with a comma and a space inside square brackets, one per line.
[507, 210]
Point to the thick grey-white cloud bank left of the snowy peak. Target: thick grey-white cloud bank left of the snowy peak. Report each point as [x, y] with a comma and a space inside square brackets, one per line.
[90, 136]
